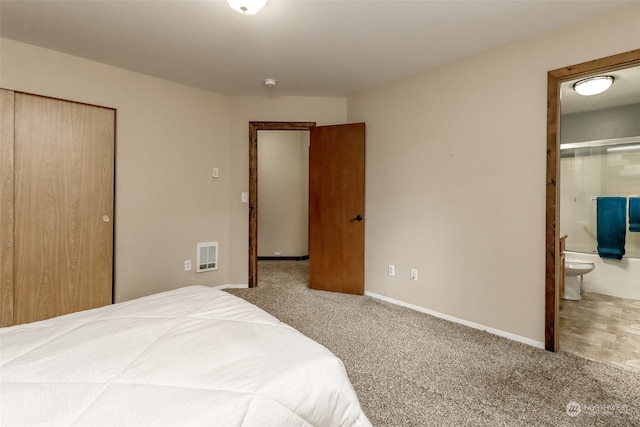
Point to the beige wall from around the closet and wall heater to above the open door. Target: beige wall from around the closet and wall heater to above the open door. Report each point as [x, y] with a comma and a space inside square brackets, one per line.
[168, 138]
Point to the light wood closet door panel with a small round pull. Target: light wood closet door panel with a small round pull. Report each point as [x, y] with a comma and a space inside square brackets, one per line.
[63, 207]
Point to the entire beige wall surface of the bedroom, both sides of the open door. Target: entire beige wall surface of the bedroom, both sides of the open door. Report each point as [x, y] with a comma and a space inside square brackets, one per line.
[455, 170]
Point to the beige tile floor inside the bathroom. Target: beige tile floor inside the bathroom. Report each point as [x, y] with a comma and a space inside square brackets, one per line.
[602, 328]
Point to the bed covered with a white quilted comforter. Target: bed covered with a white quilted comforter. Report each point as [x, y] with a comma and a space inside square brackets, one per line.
[192, 356]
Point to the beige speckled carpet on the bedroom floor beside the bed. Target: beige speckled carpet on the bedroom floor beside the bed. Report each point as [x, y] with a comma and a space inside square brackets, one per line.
[412, 369]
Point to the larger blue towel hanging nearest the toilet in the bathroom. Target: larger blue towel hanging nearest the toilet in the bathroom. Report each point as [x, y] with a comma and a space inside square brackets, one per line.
[611, 226]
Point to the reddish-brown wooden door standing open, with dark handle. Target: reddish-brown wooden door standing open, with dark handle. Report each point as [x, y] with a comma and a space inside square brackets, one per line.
[336, 208]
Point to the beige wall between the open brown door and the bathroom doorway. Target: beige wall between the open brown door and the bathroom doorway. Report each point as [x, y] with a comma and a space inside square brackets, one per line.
[456, 177]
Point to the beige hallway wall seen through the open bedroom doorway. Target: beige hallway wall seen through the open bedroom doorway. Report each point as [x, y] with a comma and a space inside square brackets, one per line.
[283, 193]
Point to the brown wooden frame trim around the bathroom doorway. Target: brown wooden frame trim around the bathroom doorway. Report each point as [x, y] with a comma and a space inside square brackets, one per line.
[553, 259]
